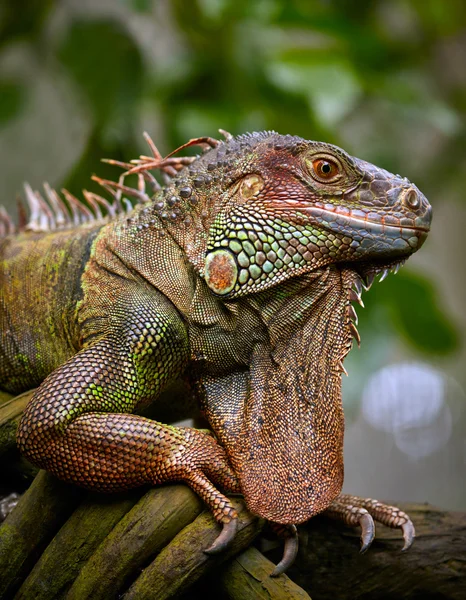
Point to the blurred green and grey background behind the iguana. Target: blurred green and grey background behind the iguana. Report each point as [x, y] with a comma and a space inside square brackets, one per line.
[386, 80]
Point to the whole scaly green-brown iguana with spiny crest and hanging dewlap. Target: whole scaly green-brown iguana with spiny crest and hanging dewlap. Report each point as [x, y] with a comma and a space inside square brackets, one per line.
[239, 275]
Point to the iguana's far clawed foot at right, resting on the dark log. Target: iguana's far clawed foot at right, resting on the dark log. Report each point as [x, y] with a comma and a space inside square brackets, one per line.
[354, 511]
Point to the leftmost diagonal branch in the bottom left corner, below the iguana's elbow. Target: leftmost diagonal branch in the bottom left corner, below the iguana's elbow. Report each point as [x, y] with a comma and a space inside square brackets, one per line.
[30, 527]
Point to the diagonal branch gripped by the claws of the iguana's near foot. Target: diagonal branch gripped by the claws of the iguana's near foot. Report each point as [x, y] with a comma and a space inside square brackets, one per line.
[184, 561]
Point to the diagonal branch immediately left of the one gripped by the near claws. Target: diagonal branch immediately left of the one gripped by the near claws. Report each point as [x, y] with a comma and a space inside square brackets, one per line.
[151, 524]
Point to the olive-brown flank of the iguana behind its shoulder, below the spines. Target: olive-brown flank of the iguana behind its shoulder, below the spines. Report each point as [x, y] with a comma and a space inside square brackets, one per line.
[40, 287]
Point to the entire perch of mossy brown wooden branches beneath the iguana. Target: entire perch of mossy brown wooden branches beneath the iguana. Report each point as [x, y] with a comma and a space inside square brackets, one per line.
[61, 542]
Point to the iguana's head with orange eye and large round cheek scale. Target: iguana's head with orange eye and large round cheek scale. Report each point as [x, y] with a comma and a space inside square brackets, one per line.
[290, 206]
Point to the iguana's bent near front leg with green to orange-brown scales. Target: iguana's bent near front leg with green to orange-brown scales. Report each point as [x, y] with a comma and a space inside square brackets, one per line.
[79, 427]
